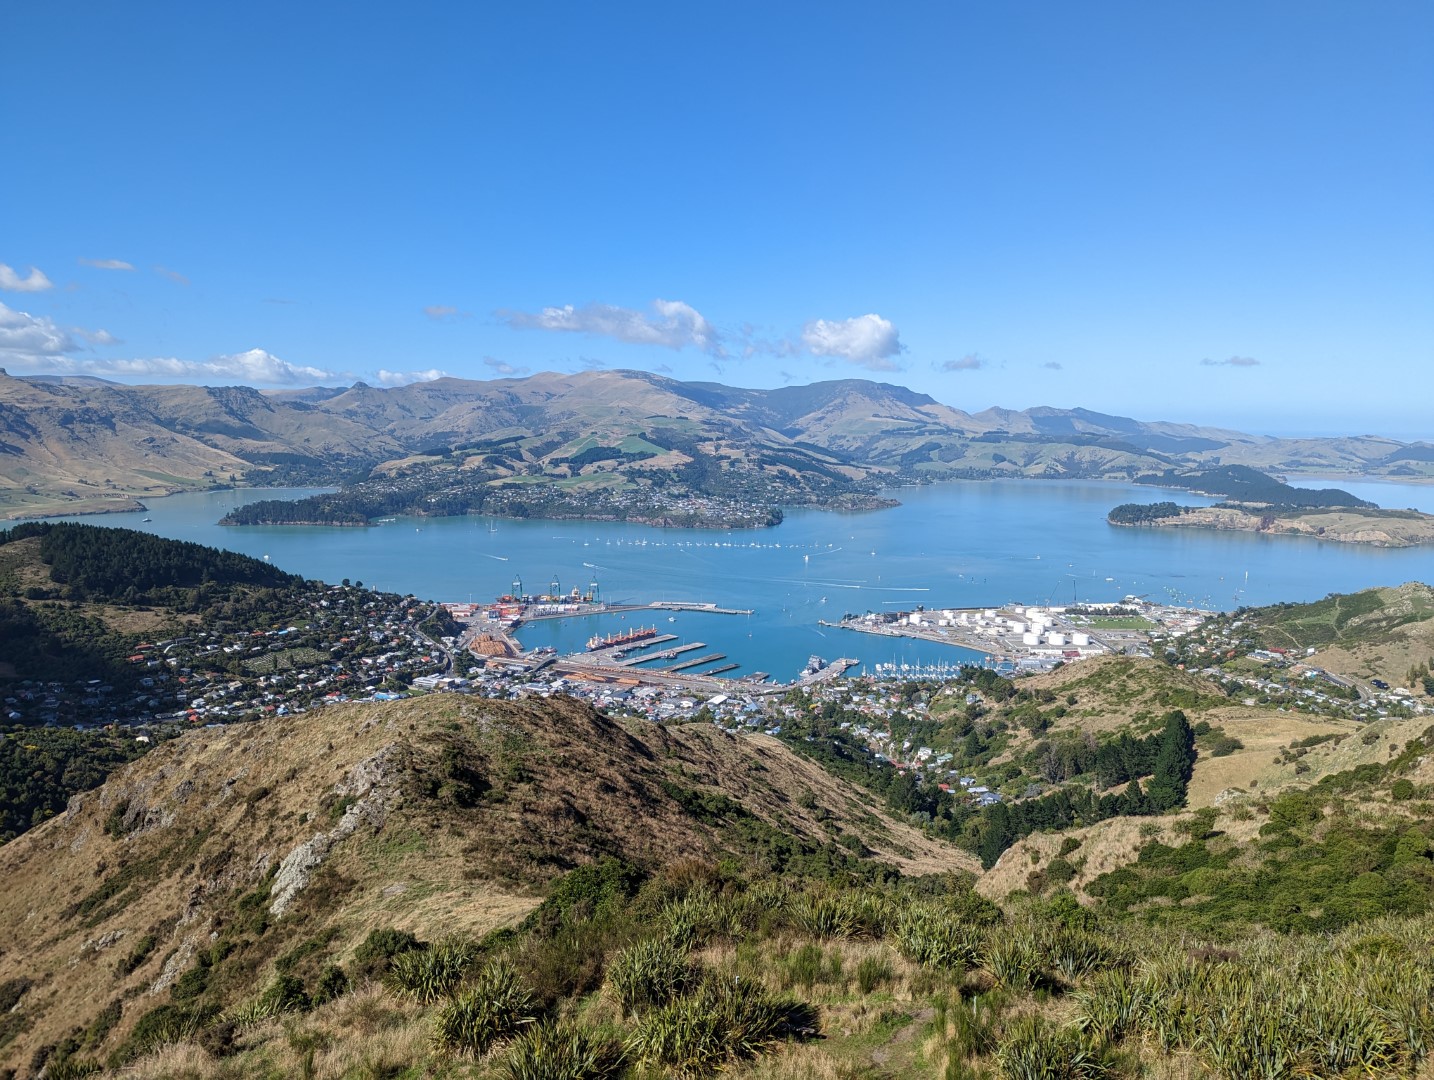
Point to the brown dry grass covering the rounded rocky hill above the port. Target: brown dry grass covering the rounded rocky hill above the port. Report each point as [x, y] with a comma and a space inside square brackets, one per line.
[220, 807]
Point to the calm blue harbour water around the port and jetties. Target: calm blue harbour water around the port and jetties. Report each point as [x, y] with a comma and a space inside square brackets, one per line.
[947, 546]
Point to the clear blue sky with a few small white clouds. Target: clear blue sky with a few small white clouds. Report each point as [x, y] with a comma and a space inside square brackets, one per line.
[1217, 213]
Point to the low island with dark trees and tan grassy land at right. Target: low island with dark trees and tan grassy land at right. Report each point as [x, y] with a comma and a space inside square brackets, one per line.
[1255, 503]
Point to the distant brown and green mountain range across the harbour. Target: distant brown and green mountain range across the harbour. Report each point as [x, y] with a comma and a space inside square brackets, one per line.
[80, 445]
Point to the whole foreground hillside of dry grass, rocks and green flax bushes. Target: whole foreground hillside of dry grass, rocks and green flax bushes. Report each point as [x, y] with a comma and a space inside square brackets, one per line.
[510, 891]
